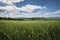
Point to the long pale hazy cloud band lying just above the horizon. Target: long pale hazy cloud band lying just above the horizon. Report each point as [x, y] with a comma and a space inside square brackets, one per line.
[27, 15]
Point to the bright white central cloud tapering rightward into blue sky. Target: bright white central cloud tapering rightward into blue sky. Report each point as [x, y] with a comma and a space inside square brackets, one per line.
[30, 8]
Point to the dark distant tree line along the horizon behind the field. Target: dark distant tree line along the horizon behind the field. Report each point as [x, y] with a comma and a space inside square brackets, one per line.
[4, 18]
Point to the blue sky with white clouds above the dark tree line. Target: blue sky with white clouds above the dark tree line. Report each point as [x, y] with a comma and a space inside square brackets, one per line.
[29, 8]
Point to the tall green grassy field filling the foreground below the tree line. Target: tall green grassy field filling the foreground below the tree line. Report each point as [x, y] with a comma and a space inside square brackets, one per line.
[30, 30]
